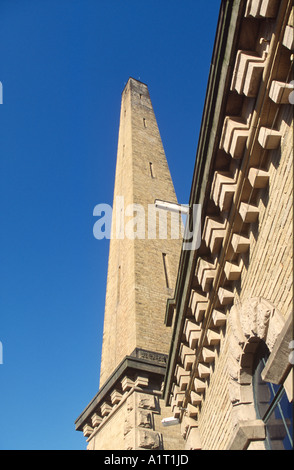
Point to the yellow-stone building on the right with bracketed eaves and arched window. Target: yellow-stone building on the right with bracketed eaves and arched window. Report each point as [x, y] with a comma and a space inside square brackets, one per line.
[233, 302]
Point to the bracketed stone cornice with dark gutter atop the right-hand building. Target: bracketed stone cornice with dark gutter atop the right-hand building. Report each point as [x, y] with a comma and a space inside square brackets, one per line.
[231, 167]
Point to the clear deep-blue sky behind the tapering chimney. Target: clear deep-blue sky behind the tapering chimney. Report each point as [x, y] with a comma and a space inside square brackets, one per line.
[63, 66]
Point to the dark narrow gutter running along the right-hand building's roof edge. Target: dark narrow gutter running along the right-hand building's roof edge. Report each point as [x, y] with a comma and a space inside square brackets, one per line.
[214, 108]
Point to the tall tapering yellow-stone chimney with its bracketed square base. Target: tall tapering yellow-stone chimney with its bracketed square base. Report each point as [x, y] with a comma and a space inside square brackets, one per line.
[142, 268]
